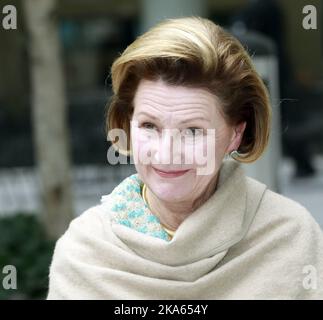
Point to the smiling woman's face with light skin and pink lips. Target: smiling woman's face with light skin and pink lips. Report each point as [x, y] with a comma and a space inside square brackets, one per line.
[174, 152]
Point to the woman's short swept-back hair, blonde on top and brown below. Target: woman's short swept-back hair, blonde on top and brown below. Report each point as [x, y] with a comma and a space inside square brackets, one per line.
[197, 53]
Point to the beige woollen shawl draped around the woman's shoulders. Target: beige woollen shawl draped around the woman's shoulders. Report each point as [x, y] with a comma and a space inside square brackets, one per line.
[245, 242]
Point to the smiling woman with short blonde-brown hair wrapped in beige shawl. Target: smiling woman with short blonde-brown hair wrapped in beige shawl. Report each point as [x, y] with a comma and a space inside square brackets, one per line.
[197, 229]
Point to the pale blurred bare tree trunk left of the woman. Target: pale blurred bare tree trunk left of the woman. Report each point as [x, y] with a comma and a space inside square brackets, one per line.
[49, 115]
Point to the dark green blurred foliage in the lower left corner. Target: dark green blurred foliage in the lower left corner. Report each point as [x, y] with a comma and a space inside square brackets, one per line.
[23, 243]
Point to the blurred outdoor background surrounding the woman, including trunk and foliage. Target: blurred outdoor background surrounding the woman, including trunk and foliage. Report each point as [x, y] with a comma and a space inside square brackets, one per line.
[55, 85]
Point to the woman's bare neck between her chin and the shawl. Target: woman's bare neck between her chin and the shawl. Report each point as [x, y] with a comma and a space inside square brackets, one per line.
[172, 214]
